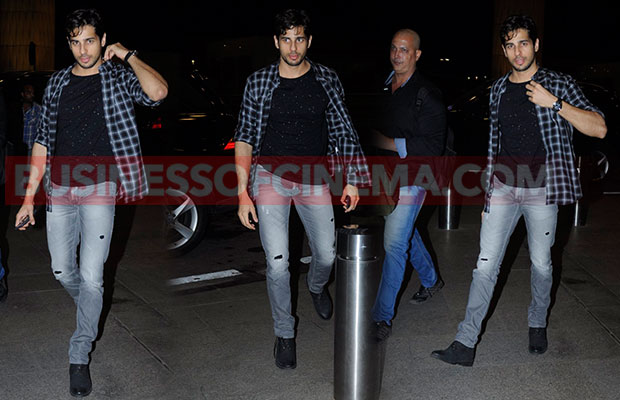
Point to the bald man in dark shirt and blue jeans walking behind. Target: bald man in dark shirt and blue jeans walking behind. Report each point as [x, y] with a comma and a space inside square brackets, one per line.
[413, 124]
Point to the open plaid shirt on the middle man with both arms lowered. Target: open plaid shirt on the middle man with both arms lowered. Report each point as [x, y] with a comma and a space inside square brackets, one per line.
[343, 141]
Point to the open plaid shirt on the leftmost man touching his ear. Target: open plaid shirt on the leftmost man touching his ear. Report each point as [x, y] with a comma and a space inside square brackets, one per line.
[121, 89]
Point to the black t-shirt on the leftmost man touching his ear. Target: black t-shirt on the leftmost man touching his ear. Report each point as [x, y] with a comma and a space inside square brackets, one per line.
[81, 136]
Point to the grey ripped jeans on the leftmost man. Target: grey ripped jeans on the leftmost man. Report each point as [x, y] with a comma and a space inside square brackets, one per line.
[80, 217]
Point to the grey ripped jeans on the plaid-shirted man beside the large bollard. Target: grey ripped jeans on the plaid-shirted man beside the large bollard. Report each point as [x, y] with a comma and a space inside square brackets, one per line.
[313, 203]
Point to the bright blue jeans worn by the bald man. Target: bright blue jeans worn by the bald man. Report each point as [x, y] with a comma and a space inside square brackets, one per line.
[402, 242]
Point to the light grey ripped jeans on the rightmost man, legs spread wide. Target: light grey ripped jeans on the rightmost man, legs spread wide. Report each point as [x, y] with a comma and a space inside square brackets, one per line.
[507, 205]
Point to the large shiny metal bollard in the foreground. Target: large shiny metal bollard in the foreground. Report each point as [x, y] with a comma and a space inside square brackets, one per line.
[358, 357]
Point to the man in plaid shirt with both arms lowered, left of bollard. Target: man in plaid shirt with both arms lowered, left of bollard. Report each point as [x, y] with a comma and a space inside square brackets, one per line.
[294, 108]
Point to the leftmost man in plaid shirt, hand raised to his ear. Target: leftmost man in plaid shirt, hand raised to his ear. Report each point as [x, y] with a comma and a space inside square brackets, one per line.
[88, 114]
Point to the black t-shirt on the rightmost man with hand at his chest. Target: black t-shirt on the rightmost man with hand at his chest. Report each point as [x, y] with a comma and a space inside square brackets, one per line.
[522, 150]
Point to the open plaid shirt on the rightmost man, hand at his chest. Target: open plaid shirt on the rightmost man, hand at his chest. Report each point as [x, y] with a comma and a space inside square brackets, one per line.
[562, 180]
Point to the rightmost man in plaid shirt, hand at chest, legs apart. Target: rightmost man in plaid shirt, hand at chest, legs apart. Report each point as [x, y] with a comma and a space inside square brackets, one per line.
[531, 170]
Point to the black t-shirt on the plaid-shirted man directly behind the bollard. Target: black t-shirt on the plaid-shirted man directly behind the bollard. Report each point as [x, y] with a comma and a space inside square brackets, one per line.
[297, 128]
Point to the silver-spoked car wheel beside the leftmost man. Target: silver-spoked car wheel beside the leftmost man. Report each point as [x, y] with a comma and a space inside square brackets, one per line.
[184, 223]
